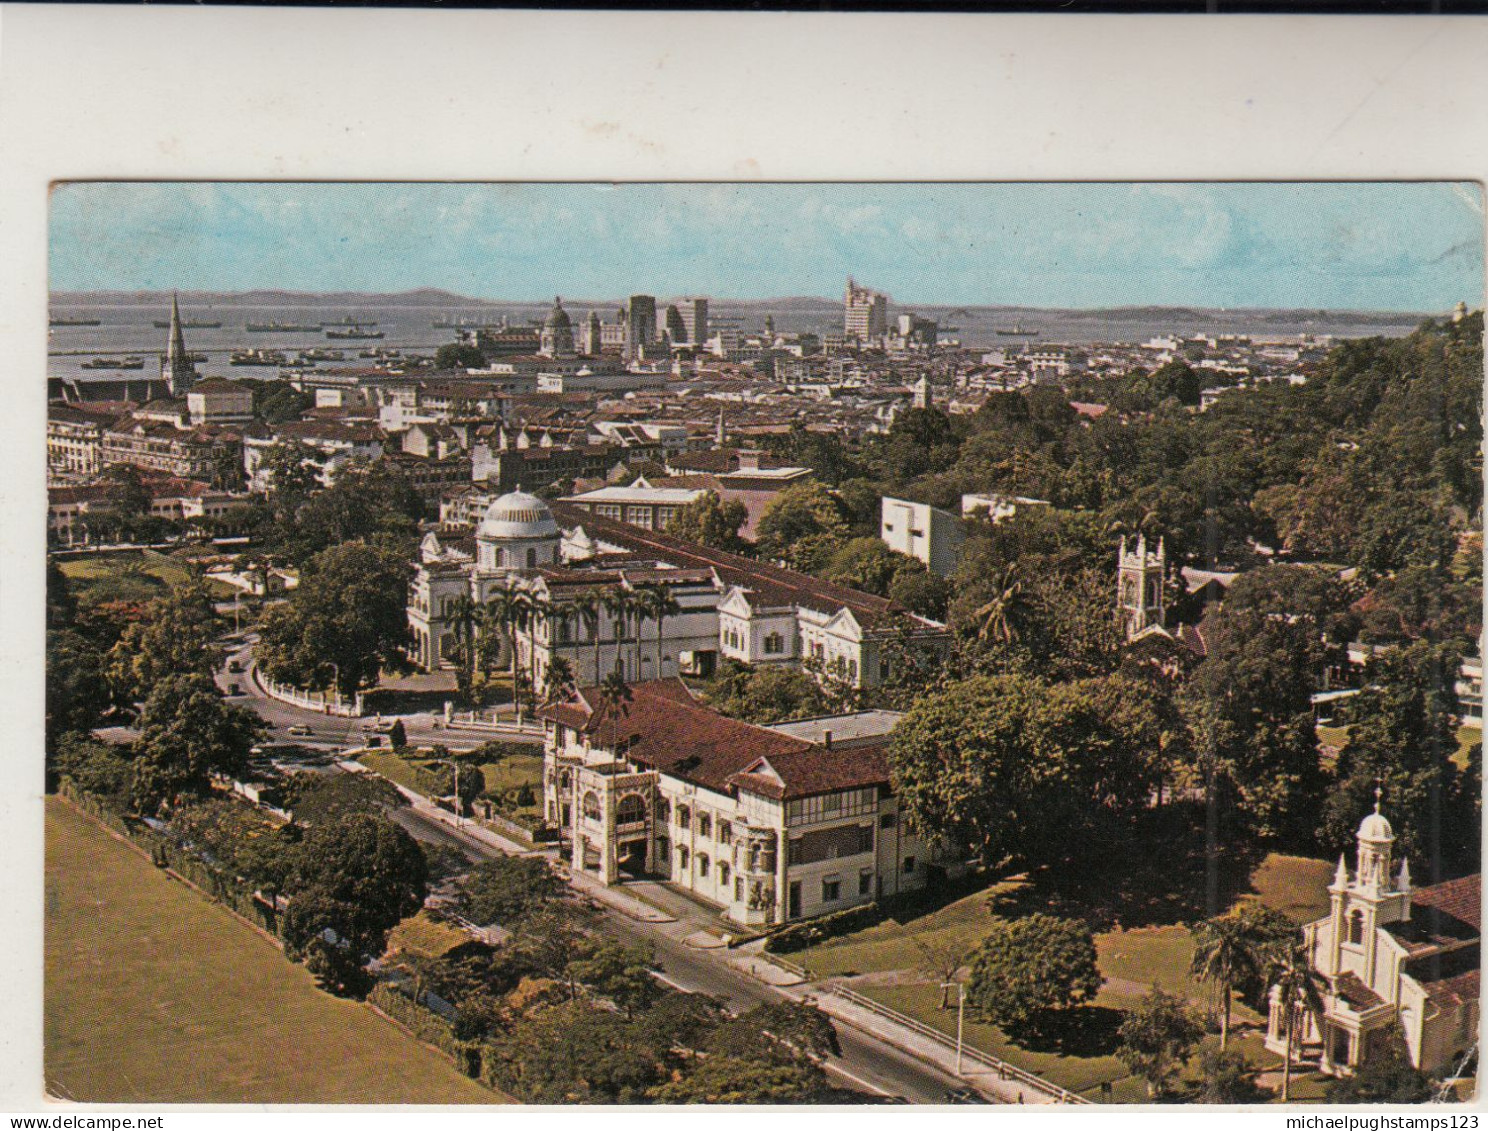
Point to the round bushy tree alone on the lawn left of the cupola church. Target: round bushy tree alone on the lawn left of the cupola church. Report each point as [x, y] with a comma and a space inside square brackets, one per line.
[1029, 971]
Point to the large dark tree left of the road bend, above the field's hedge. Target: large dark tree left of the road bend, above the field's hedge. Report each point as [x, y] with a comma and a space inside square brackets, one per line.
[188, 733]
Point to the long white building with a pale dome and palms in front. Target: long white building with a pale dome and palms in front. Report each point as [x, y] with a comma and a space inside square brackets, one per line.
[575, 565]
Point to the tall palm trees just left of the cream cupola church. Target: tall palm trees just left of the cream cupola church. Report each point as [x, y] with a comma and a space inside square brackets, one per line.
[1255, 947]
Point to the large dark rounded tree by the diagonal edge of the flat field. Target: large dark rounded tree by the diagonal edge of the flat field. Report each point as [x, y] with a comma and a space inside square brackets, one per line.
[352, 880]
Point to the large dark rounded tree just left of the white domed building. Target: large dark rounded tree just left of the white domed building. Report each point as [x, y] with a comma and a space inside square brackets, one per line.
[344, 624]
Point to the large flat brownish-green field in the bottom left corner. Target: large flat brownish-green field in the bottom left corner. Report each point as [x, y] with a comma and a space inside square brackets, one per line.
[157, 996]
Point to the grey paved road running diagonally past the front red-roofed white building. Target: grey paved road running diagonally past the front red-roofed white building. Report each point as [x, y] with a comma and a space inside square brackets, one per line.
[867, 1065]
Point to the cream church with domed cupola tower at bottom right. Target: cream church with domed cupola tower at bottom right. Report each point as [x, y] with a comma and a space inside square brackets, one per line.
[1391, 953]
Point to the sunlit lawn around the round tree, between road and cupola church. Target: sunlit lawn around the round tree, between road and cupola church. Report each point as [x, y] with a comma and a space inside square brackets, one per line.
[892, 959]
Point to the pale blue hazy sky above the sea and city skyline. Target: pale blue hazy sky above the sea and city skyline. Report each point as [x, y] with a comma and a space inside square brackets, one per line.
[1379, 246]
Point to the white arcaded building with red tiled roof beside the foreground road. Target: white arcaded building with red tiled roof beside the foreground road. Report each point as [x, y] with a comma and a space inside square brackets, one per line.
[767, 824]
